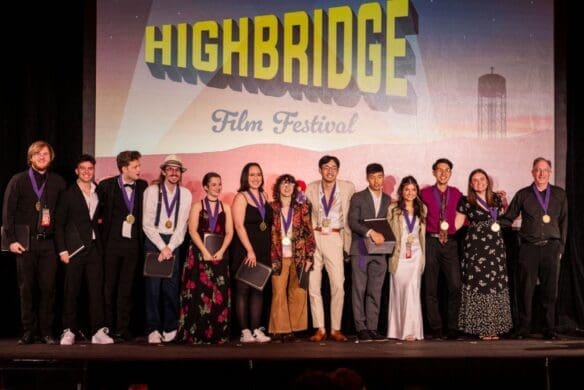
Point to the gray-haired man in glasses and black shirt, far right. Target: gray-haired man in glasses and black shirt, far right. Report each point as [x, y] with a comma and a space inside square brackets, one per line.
[544, 225]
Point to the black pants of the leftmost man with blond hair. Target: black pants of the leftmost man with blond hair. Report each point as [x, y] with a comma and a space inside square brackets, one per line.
[36, 271]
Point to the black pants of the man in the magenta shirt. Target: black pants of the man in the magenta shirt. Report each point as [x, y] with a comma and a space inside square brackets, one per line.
[442, 258]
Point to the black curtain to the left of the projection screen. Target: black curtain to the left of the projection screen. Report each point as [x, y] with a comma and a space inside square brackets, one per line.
[40, 98]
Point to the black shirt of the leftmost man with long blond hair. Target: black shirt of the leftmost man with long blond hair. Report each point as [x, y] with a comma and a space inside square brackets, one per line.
[20, 199]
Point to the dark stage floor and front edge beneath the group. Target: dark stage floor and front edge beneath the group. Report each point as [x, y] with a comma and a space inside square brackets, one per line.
[533, 363]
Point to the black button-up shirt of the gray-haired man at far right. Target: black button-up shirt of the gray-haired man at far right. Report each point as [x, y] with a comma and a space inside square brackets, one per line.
[533, 228]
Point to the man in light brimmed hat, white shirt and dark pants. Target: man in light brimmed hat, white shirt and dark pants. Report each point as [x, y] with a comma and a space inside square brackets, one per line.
[166, 211]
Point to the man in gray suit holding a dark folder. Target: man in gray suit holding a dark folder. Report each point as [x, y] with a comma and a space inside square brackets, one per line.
[368, 270]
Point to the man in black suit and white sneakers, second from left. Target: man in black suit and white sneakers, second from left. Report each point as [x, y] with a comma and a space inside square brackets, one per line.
[79, 247]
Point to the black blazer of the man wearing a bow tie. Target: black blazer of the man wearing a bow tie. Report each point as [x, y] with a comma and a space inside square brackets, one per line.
[108, 190]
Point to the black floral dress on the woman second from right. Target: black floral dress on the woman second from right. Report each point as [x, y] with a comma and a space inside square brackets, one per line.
[485, 308]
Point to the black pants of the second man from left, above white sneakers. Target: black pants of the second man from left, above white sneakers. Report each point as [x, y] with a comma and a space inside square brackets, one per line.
[88, 266]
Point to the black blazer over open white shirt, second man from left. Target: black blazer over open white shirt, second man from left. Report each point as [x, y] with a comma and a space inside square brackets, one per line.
[72, 213]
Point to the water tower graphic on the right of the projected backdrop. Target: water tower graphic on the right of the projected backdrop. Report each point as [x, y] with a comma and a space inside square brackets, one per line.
[492, 106]
